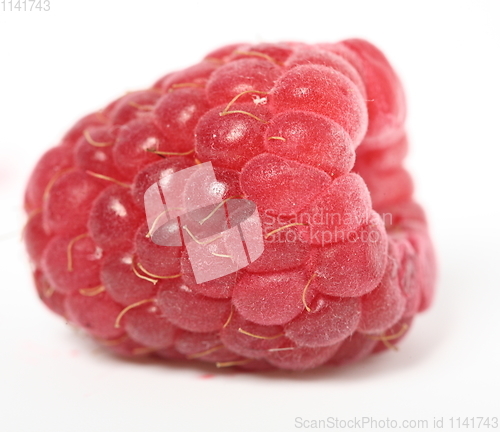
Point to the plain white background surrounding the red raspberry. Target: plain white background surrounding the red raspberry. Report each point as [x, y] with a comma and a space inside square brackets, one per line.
[56, 66]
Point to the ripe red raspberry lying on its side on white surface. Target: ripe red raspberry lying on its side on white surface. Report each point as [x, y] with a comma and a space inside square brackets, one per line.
[276, 170]
